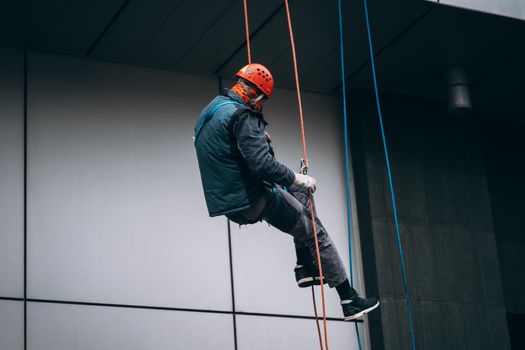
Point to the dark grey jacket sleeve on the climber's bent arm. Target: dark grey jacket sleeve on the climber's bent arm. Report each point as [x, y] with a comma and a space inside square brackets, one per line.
[254, 147]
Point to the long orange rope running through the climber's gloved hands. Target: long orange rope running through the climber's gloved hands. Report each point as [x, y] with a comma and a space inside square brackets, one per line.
[310, 199]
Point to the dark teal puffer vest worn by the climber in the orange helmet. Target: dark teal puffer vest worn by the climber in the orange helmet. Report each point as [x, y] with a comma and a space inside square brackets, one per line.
[228, 184]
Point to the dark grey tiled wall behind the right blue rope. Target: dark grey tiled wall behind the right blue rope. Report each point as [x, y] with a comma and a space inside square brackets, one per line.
[445, 222]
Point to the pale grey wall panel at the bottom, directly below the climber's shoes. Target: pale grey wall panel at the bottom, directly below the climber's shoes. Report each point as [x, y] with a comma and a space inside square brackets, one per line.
[273, 333]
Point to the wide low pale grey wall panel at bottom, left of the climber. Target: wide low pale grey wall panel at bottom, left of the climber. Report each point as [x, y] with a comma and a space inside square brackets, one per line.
[61, 327]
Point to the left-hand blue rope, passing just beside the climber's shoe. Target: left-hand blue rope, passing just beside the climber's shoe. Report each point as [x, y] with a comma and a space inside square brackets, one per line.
[347, 171]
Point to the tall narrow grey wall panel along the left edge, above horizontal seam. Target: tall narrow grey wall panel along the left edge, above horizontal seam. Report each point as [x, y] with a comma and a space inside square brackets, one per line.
[11, 172]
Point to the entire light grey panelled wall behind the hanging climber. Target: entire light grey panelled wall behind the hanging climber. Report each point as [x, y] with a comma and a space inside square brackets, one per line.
[120, 250]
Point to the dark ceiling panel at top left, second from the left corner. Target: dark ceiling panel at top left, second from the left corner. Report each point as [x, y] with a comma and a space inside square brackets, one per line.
[79, 24]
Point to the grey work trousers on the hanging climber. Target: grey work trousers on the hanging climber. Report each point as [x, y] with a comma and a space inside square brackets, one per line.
[290, 213]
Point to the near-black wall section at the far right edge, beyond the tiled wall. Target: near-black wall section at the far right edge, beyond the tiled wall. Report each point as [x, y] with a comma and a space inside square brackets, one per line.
[505, 155]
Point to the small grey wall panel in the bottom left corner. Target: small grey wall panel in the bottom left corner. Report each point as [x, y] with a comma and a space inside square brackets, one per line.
[11, 325]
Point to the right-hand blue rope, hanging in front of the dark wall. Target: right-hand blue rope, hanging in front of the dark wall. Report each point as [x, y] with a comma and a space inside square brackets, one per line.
[399, 244]
